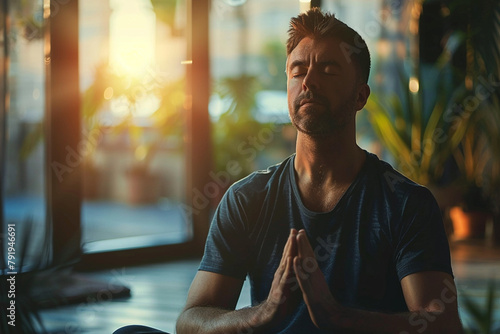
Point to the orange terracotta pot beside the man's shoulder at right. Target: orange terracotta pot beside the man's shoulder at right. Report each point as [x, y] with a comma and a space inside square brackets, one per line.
[467, 225]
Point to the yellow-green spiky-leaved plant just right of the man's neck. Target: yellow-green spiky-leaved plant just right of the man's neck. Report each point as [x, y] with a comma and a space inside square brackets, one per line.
[420, 140]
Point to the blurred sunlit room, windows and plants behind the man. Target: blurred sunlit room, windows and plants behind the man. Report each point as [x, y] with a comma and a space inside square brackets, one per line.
[123, 123]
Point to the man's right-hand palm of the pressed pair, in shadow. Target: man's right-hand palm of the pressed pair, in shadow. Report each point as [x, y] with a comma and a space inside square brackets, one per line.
[315, 291]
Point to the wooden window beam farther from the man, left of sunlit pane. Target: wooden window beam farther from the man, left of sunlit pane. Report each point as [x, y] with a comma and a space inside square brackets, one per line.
[64, 162]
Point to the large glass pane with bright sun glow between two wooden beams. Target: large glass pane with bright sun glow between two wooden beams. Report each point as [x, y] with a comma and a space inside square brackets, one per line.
[132, 83]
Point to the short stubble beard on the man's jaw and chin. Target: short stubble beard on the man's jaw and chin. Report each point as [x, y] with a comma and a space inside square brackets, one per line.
[318, 119]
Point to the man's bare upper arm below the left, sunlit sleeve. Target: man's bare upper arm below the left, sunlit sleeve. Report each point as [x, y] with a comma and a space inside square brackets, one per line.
[216, 290]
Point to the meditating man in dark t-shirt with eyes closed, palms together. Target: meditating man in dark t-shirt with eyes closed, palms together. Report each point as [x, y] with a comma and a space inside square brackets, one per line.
[333, 240]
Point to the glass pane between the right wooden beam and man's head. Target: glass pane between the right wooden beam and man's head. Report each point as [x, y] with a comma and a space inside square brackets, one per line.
[248, 106]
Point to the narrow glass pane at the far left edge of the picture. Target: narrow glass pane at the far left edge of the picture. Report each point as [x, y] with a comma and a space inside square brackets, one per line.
[23, 183]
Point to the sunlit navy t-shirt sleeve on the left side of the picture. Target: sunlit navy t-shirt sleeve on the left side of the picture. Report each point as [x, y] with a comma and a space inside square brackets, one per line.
[227, 245]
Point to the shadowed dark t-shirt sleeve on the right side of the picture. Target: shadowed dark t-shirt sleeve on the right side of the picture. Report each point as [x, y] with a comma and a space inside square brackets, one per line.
[422, 244]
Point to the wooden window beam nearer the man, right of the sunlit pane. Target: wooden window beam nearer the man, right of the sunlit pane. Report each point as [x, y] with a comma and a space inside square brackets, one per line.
[199, 162]
